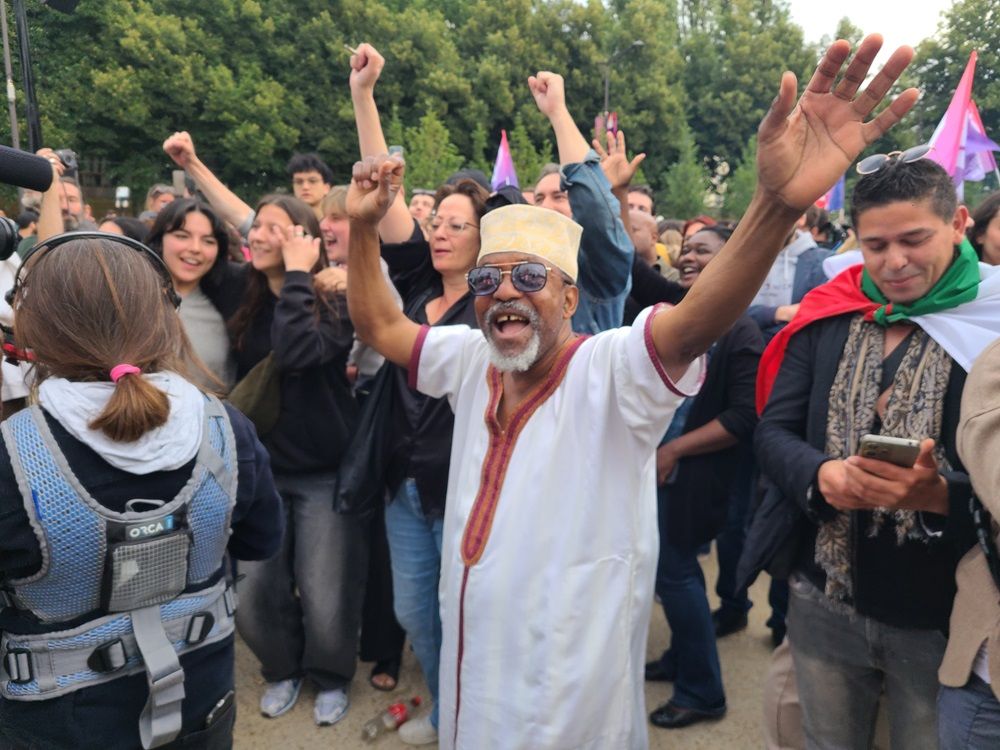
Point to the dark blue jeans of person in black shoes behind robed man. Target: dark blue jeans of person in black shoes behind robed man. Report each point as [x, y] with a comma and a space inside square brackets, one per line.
[693, 655]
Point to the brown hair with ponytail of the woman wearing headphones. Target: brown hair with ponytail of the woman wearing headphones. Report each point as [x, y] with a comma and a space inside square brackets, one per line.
[88, 305]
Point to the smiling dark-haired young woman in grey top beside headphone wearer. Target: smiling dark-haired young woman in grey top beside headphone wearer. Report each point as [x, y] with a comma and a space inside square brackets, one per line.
[194, 245]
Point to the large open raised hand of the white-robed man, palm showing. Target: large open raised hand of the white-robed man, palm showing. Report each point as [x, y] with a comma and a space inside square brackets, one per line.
[804, 148]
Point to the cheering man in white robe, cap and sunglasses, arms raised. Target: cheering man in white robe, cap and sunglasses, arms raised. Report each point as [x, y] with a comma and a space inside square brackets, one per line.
[550, 531]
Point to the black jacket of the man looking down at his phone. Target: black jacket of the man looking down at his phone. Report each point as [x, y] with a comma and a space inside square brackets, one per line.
[910, 585]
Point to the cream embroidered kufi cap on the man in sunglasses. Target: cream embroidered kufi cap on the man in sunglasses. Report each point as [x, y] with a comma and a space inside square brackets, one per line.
[533, 230]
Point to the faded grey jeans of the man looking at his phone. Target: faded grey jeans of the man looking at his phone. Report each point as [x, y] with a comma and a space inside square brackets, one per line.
[842, 664]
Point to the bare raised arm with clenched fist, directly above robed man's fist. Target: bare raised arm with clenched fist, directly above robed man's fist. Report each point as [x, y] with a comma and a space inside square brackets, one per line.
[366, 67]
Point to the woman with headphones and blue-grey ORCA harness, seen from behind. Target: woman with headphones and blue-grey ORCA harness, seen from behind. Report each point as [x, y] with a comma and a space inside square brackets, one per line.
[123, 491]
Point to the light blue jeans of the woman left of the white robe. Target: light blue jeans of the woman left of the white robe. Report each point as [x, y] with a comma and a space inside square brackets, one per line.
[415, 550]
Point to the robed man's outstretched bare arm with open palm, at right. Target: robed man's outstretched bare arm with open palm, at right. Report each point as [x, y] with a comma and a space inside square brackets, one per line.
[803, 149]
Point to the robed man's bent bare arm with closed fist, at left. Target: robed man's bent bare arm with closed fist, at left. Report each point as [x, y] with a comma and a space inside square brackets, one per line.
[378, 321]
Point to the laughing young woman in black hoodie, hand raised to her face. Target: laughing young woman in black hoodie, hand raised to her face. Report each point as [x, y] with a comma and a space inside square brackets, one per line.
[291, 340]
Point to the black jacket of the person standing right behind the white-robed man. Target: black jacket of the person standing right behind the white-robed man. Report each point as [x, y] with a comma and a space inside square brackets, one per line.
[697, 501]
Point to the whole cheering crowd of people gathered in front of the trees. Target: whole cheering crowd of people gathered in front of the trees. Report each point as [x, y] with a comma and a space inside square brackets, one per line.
[499, 425]
